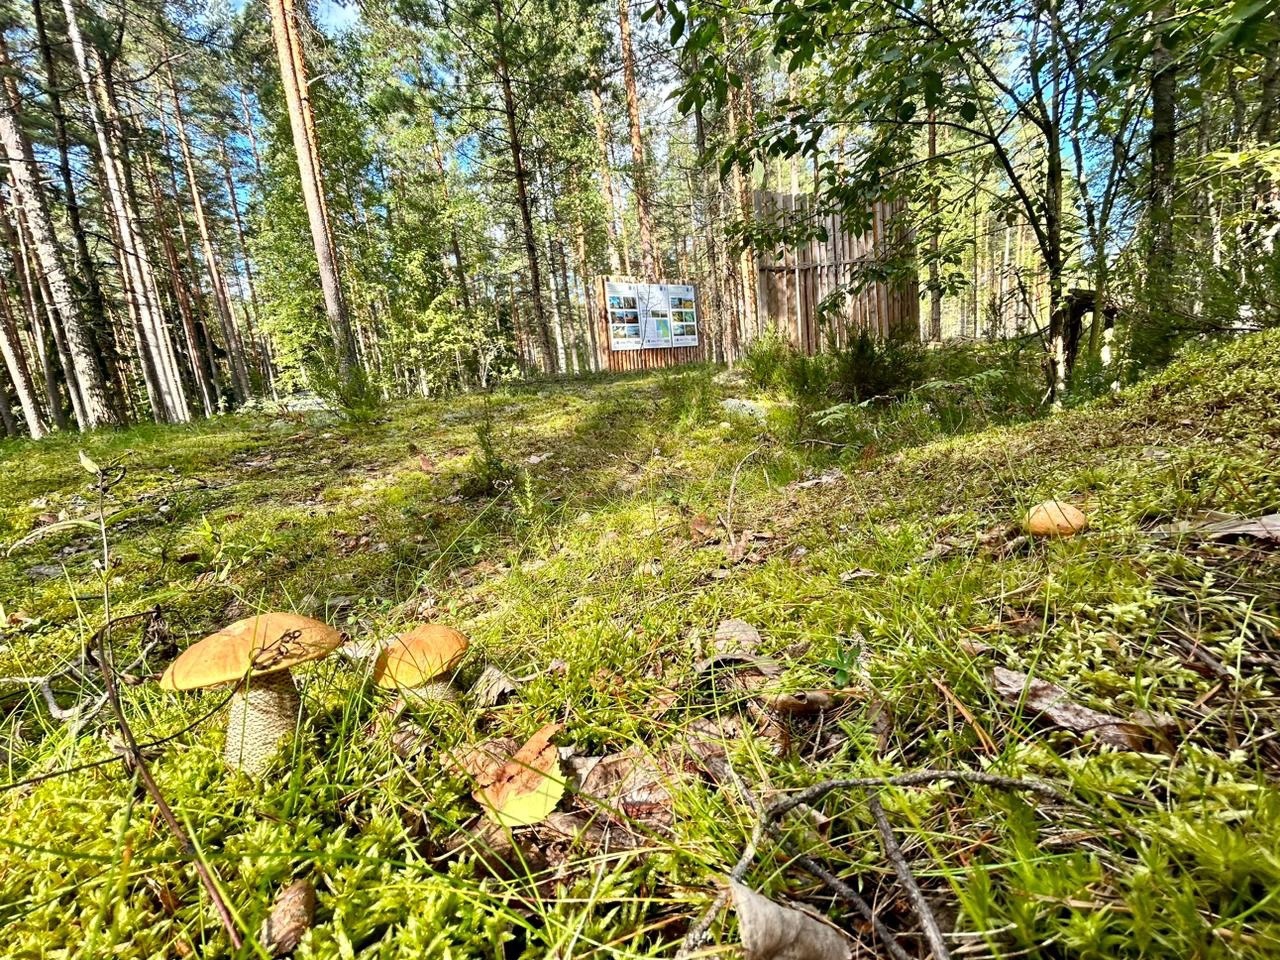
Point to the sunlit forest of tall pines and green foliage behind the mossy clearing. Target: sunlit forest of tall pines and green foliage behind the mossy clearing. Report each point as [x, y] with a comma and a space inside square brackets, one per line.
[211, 205]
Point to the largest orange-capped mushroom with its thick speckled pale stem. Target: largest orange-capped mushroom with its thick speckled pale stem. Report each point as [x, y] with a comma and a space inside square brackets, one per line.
[257, 655]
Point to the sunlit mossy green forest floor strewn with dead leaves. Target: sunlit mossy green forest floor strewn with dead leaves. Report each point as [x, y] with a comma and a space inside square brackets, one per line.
[595, 541]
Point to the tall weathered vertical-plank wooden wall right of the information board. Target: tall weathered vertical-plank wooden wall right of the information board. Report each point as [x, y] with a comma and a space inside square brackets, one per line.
[793, 286]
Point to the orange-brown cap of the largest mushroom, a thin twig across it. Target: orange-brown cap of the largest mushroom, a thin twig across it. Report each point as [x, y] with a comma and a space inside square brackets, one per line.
[253, 647]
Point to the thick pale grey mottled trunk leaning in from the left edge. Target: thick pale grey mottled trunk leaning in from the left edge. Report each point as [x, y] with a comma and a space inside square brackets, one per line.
[97, 409]
